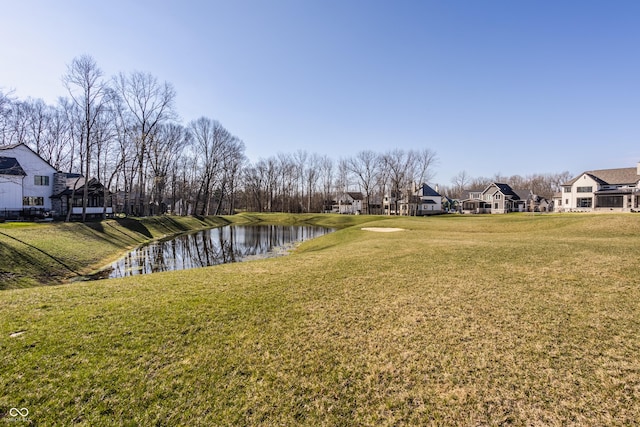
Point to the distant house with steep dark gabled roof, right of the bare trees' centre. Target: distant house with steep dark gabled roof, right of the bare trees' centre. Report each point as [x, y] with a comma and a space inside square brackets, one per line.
[496, 198]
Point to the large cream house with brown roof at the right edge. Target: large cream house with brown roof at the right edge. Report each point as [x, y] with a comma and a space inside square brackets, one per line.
[604, 190]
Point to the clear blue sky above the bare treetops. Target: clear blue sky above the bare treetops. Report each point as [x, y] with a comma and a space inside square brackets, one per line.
[492, 86]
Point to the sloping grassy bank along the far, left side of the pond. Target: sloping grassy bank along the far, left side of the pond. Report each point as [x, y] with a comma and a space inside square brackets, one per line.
[34, 254]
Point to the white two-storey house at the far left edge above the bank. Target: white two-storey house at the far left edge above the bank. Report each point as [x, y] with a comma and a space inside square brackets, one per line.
[26, 180]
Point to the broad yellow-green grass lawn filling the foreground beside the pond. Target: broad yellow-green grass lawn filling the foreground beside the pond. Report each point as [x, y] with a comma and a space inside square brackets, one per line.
[457, 320]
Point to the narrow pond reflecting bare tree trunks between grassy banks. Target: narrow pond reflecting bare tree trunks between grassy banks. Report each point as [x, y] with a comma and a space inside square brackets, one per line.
[232, 243]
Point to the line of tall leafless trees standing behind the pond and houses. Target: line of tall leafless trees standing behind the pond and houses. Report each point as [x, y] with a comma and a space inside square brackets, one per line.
[125, 131]
